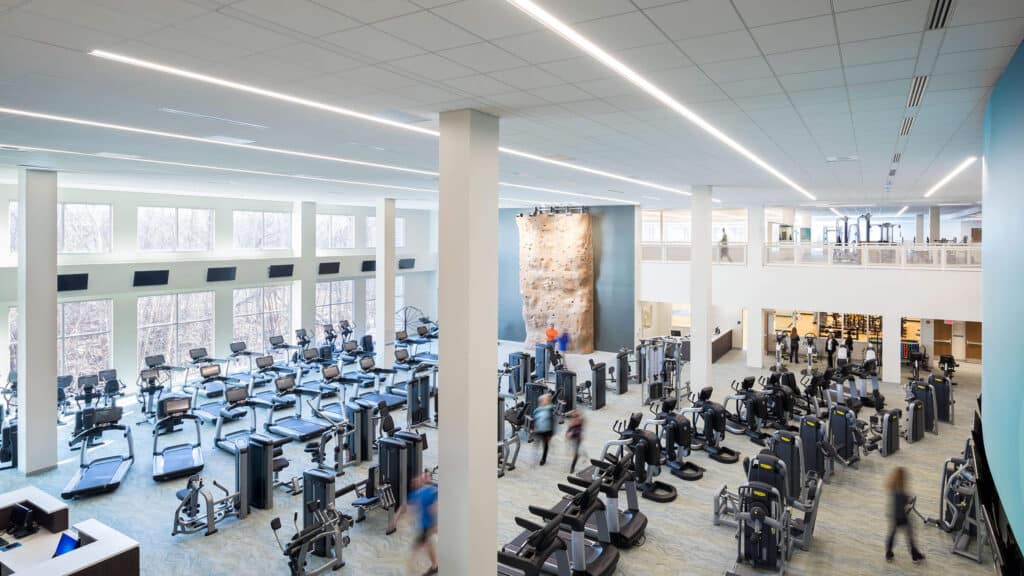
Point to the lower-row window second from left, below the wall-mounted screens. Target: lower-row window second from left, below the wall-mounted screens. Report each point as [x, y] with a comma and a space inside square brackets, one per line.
[174, 324]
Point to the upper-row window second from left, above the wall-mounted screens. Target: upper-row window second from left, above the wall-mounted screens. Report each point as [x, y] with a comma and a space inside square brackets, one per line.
[169, 230]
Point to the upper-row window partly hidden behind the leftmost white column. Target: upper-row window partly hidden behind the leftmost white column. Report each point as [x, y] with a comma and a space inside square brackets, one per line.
[82, 229]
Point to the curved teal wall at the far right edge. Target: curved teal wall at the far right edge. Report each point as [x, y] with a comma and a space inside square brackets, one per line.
[1003, 289]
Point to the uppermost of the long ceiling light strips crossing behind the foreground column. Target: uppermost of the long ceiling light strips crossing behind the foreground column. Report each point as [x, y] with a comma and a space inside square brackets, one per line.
[205, 78]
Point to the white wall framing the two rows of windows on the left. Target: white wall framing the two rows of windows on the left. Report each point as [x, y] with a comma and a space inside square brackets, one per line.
[111, 274]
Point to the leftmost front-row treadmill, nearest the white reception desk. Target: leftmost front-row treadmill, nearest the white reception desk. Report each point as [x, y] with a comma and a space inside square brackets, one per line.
[102, 475]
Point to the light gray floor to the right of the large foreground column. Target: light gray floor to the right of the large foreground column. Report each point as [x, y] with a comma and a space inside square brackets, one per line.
[851, 525]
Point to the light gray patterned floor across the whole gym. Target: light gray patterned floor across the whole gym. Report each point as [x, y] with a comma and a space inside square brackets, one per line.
[680, 537]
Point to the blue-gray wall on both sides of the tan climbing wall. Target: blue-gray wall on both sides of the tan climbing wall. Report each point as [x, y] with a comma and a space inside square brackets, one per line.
[614, 235]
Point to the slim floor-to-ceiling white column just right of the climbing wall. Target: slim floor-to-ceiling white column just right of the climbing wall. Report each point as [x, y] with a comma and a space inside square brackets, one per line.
[701, 287]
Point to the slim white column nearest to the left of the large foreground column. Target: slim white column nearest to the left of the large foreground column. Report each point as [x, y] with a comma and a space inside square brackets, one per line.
[385, 285]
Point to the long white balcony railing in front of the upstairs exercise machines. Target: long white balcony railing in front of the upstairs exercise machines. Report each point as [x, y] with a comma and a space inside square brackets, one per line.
[936, 257]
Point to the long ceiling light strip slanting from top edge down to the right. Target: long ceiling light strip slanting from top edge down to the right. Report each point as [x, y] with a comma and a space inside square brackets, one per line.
[639, 81]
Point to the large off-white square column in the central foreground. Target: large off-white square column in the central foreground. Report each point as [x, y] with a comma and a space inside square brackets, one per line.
[467, 310]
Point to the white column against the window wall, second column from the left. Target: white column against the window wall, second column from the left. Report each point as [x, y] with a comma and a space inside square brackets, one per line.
[305, 287]
